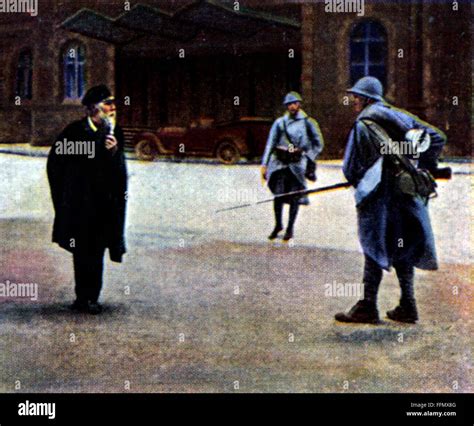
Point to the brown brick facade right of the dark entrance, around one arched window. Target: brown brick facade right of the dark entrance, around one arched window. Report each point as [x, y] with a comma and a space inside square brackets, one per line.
[428, 65]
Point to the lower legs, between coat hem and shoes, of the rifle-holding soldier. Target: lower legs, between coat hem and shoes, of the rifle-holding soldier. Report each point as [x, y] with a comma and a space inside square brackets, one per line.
[373, 276]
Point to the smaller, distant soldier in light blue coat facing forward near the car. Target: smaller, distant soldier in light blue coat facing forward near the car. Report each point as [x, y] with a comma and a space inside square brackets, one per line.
[293, 145]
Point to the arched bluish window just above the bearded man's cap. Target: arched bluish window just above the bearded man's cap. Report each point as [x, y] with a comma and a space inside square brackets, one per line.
[74, 71]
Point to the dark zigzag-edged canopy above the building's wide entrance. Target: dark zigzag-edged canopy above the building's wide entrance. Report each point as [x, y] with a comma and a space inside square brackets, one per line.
[199, 28]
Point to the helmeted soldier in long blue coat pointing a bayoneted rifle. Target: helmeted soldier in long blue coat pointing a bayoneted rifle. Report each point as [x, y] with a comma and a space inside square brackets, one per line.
[394, 227]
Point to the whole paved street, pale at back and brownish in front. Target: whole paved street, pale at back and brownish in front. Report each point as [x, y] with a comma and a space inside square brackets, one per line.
[203, 303]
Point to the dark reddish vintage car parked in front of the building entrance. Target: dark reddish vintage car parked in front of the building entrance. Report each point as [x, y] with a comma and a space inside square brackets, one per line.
[228, 142]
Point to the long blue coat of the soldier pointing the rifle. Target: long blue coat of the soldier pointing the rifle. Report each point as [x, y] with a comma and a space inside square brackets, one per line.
[391, 227]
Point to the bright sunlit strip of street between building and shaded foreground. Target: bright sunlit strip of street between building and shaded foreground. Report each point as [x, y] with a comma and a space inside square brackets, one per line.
[172, 204]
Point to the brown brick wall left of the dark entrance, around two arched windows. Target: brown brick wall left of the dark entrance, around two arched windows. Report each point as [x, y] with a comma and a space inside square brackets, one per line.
[41, 118]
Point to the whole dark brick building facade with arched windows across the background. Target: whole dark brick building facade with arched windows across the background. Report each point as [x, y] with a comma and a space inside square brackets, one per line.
[422, 50]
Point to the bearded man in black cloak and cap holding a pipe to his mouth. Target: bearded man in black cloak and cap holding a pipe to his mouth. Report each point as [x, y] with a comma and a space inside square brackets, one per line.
[88, 179]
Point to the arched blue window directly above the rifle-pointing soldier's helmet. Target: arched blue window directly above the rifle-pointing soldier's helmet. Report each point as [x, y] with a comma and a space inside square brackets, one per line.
[368, 51]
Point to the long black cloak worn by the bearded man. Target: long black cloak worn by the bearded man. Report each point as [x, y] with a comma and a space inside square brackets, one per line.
[89, 194]
